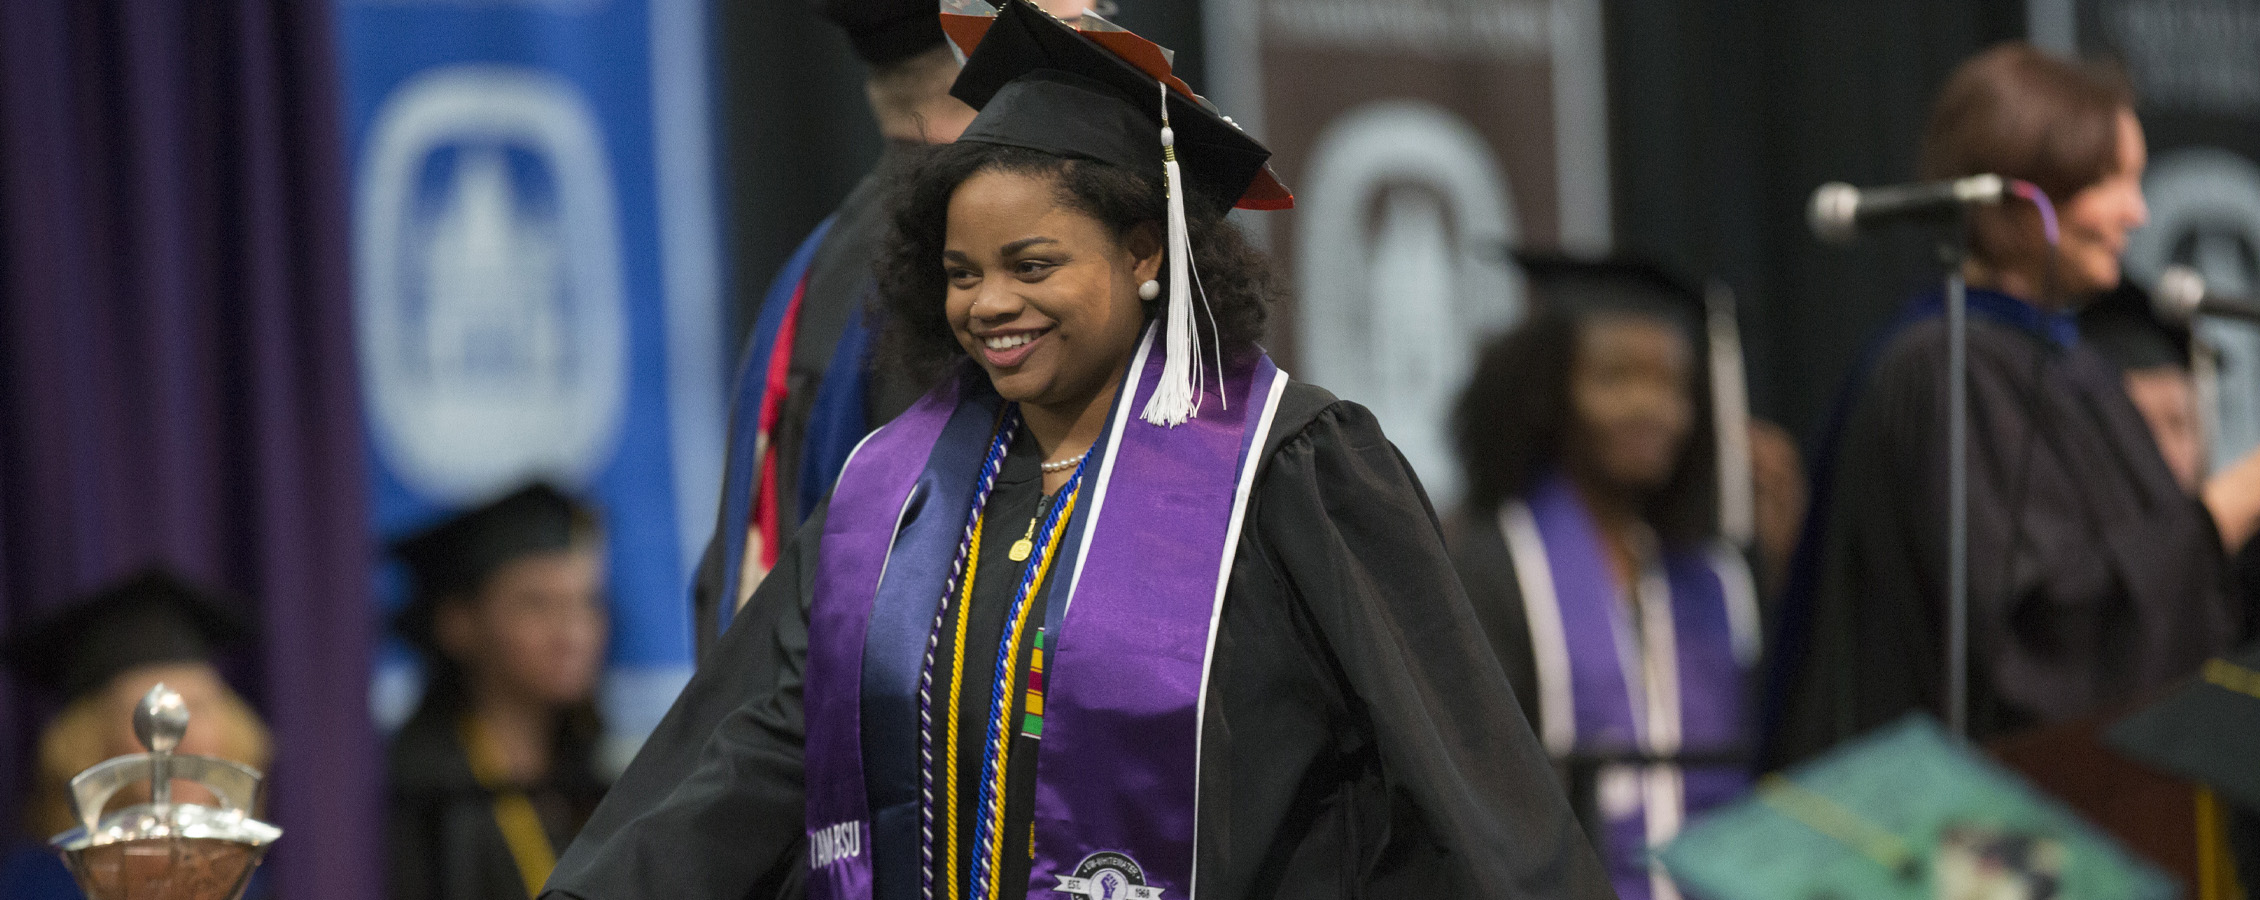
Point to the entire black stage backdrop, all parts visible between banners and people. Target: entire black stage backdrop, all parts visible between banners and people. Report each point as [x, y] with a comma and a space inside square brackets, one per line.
[1726, 114]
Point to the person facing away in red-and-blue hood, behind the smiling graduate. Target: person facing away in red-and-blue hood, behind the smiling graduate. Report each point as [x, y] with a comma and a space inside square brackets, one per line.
[808, 390]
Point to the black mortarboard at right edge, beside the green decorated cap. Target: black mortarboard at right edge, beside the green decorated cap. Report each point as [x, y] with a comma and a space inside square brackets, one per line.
[2207, 729]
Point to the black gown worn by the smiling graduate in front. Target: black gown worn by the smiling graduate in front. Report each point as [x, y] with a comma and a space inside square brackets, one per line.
[1359, 738]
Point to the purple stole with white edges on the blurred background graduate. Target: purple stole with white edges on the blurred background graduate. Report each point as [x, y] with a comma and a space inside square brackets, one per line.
[1660, 675]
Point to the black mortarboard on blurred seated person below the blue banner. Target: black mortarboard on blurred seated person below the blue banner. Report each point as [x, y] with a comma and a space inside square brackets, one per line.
[460, 553]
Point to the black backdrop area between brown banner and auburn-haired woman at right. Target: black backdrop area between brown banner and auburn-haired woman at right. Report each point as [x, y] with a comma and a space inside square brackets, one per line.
[1730, 114]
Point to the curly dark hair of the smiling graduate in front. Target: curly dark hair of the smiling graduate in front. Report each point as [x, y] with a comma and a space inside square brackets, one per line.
[916, 340]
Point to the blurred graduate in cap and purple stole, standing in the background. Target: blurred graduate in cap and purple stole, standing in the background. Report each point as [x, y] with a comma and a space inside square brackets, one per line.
[1592, 551]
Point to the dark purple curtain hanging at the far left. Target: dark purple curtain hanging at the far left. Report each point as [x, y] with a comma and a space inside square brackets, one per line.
[177, 367]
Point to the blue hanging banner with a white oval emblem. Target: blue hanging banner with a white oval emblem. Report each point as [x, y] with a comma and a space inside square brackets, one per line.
[537, 288]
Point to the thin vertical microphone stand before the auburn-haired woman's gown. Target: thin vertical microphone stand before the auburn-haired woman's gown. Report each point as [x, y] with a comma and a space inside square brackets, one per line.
[1958, 481]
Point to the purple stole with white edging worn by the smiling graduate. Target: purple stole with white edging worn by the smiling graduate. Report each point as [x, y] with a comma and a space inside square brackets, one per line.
[1133, 616]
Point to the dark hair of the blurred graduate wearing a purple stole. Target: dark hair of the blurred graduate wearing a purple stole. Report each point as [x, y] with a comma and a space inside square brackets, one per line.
[1515, 415]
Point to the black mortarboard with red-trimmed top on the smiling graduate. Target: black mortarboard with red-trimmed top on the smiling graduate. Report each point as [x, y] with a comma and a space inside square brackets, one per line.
[1043, 85]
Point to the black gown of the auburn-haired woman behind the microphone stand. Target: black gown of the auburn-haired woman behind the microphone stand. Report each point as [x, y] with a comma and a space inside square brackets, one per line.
[2094, 580]
